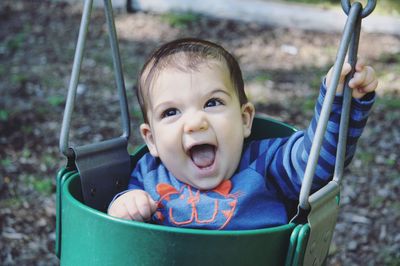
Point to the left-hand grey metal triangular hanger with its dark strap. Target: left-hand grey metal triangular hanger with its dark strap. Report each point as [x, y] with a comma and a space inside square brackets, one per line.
[104, 166]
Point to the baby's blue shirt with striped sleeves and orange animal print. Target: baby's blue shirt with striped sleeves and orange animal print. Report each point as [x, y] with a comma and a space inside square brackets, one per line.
[267, 180]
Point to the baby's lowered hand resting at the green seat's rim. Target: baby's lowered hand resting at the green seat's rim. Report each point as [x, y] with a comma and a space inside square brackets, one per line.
[133, 205]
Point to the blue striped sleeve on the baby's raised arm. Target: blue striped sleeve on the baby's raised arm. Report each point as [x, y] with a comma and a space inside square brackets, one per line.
[288, 164]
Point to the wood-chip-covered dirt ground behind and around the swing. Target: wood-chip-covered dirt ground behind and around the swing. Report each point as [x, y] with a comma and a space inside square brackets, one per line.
[282, 70]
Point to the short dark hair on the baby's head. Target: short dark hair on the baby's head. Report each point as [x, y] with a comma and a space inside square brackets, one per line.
[196, 51]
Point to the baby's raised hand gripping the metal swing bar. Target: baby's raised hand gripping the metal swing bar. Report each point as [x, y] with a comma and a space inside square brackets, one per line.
[363, 81]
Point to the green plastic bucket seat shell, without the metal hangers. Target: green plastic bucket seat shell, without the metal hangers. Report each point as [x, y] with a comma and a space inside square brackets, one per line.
[86, 236]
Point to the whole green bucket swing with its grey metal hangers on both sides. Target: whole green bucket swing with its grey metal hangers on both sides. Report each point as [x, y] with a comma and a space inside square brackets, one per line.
[86, 235]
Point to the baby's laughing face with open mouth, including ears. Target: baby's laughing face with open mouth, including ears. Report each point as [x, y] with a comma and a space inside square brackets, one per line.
[196, 124]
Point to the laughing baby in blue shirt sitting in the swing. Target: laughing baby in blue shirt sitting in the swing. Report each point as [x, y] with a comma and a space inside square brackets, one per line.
[199, 173]
